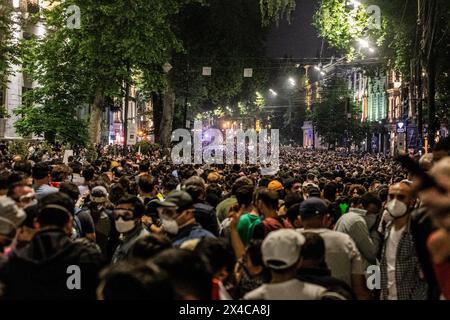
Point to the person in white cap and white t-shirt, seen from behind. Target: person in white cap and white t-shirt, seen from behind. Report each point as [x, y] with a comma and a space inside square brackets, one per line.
[281, 254]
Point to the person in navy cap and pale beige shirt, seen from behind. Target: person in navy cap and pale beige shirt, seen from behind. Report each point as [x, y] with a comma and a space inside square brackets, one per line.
[341, 254]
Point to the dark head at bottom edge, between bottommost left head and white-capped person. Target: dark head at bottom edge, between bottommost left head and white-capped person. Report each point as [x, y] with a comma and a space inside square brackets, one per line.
[188, 272]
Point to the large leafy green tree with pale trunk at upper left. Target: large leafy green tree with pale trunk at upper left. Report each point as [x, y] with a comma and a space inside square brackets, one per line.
[117, 43]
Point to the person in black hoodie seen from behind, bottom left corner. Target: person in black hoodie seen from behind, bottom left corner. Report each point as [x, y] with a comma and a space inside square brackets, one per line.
[41, 269]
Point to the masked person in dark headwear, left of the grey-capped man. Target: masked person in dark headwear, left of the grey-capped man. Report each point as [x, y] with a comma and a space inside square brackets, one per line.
[127, 215]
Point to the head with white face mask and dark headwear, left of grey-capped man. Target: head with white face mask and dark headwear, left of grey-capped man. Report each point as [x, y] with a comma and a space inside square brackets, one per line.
[128, 213]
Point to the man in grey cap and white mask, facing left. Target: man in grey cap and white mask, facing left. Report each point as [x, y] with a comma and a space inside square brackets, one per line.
[178, 219]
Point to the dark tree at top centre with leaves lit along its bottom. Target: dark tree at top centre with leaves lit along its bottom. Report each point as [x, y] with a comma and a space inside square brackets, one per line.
[228, 37]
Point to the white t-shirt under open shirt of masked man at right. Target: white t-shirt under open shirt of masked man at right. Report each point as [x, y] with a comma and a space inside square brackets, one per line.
[391, 257]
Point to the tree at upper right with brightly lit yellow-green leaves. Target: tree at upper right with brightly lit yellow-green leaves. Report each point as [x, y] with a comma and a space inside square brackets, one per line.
[413, 38]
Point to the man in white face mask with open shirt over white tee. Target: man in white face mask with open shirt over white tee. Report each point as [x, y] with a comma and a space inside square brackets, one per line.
[401, 275]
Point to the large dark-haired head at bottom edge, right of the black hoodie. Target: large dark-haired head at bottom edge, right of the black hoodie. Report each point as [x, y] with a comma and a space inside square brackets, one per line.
[134, 280]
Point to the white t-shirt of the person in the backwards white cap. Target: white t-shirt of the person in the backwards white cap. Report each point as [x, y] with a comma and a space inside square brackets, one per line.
[290, 290]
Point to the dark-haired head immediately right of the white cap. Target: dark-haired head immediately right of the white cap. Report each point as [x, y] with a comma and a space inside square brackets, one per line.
[313, 251]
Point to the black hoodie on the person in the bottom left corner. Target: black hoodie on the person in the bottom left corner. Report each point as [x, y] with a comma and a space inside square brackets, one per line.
[42, 269]
